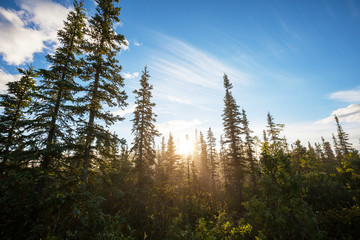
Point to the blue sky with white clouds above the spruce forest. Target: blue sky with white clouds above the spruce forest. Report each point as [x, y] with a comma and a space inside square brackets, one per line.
[298, 60]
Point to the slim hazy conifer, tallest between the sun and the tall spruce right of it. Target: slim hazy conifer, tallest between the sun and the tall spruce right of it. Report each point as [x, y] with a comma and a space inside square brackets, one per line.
[213, 164]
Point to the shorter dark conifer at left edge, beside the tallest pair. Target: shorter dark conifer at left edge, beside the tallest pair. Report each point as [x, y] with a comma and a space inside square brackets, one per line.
[13, 119]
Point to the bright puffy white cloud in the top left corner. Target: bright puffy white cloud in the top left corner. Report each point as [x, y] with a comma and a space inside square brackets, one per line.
[29, 30]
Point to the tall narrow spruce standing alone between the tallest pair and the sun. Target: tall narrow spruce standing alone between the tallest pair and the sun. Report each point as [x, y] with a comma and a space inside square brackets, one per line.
[144, 131]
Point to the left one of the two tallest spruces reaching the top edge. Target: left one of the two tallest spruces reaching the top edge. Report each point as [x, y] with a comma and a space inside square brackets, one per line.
[57, 87]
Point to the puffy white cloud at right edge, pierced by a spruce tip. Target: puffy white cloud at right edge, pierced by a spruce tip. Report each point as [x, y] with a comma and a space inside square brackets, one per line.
[350, 113]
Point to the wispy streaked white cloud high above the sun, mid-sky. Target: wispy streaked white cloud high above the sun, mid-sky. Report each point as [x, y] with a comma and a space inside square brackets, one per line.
[178, 61]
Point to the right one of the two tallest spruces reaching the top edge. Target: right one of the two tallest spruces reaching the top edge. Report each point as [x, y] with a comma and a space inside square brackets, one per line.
[102, 71]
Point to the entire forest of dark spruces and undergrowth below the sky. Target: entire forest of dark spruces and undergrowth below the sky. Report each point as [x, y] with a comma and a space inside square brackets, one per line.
[65, 175]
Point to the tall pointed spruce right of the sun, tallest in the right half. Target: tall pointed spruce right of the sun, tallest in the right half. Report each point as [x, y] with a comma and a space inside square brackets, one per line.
[232, 122]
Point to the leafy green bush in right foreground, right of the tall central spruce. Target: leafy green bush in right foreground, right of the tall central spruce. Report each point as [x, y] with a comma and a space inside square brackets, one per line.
[280, 212]
